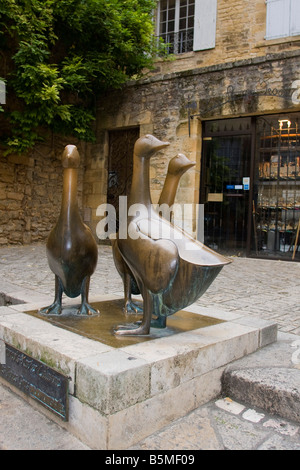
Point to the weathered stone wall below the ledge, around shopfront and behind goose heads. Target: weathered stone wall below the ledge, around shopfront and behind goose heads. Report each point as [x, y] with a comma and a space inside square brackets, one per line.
[161, 105]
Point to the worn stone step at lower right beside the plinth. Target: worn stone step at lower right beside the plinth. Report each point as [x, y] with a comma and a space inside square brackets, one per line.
[269, 380]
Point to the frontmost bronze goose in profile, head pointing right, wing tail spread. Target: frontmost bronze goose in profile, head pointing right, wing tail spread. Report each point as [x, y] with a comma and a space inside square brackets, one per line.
[172, 269]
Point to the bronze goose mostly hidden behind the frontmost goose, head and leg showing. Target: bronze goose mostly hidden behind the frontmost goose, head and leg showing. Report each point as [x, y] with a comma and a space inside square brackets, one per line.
[177, 167]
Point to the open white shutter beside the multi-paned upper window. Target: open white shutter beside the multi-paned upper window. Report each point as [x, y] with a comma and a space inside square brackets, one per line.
[205, 24]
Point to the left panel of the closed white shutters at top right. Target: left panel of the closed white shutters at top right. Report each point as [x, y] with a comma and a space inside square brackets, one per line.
[278, 15]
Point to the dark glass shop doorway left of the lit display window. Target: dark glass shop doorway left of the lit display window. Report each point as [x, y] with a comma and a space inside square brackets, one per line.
[225, 185]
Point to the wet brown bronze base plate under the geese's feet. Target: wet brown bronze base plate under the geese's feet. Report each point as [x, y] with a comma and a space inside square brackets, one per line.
[101, 327]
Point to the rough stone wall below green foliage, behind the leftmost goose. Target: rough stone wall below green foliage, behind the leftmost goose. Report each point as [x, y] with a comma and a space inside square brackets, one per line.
[30, 193]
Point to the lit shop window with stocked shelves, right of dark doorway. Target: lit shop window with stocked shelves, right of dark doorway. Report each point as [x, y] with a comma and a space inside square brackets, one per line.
[276, 200]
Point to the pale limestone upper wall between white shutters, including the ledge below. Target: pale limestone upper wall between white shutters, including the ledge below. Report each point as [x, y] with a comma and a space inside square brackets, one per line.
[240, 35]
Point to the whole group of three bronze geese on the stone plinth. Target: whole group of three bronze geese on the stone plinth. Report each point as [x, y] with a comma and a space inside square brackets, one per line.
[163, 263]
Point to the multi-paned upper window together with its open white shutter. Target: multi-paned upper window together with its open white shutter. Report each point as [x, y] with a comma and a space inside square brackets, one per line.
[187, 25]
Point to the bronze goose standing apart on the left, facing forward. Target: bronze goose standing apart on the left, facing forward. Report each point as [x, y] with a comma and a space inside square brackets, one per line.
[71, 248]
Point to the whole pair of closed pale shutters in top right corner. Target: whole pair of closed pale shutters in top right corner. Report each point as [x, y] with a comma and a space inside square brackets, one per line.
[283, 18]
